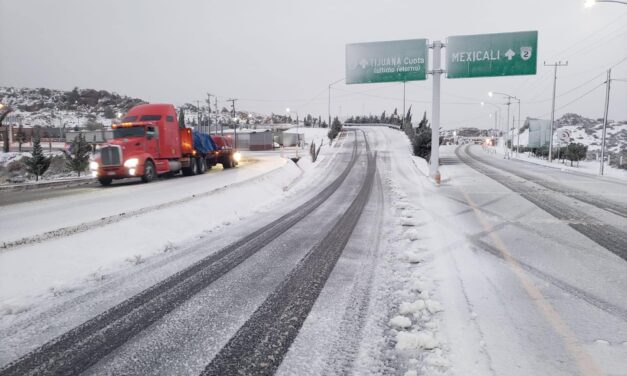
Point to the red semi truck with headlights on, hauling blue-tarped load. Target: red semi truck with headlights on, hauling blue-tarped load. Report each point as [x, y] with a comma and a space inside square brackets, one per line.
[149, 142]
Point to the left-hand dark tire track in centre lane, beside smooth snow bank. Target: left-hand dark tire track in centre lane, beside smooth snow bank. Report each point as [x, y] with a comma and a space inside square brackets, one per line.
[83, 346]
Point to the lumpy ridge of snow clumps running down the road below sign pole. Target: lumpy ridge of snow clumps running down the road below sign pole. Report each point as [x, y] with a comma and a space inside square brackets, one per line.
[413, 328]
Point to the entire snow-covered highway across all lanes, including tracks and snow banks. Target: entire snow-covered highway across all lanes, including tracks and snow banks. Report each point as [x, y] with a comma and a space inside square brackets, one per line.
[355, 264]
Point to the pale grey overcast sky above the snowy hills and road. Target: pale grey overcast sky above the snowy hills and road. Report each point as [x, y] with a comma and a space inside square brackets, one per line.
[275, 54]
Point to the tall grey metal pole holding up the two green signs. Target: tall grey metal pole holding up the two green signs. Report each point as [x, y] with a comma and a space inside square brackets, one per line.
[435, 121]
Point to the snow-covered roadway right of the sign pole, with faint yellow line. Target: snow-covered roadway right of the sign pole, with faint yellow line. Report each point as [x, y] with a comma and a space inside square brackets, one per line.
[545, 289]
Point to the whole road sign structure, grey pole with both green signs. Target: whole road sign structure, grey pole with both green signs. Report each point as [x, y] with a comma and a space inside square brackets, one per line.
[467, 56]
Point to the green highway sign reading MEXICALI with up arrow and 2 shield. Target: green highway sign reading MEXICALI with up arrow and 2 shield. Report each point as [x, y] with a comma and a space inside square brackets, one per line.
[489, 55]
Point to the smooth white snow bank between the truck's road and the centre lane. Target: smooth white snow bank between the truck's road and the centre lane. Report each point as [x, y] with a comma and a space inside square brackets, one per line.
[62, 265]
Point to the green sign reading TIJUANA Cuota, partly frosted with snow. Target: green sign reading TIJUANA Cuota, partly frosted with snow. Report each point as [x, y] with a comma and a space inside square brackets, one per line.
[392, 61]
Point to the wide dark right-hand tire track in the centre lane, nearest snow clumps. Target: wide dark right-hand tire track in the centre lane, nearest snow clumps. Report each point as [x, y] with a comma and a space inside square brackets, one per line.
[260, 344]
